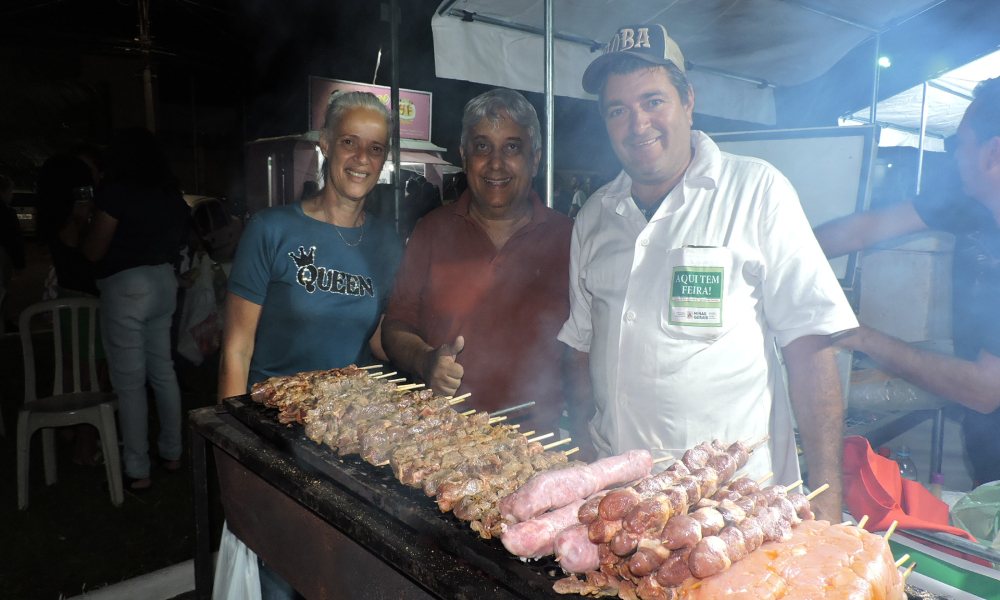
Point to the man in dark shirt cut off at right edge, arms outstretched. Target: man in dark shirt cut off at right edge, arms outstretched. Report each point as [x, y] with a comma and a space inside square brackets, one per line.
[972, 377]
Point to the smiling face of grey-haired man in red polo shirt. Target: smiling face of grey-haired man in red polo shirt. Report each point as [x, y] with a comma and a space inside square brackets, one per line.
[499, 165]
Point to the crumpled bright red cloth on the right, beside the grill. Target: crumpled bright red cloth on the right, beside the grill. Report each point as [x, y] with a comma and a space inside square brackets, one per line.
[873, 487]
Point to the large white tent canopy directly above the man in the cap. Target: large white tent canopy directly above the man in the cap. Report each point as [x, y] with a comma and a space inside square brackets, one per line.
[763, 43]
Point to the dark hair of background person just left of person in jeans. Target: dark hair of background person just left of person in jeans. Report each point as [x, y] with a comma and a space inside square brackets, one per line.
[59, 176]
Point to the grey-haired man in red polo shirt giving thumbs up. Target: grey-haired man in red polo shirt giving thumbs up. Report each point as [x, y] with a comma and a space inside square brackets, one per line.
[483, 287]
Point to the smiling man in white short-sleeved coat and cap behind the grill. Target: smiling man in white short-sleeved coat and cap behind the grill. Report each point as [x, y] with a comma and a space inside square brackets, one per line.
[687, 272]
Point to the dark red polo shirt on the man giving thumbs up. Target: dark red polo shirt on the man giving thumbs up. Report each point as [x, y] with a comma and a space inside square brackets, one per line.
[509, 304]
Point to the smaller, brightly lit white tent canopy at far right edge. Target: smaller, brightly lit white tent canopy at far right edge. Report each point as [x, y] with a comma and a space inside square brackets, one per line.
[948, 97]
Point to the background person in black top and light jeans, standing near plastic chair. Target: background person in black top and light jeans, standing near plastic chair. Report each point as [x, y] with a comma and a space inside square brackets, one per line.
[134, 239]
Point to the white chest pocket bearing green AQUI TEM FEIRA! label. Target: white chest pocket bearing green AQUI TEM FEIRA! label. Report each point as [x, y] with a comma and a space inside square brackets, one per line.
[695, 299]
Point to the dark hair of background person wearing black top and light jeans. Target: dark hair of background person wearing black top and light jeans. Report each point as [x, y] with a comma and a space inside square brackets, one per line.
[136, 158]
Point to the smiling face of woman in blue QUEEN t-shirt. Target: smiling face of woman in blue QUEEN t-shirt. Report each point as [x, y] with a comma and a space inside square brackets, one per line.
[355, 151]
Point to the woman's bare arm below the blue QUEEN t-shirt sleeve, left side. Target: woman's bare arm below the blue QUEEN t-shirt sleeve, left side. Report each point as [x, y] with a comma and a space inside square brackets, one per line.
[238, 336]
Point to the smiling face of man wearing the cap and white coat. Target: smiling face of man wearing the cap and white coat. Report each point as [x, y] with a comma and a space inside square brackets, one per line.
[649, 127]
